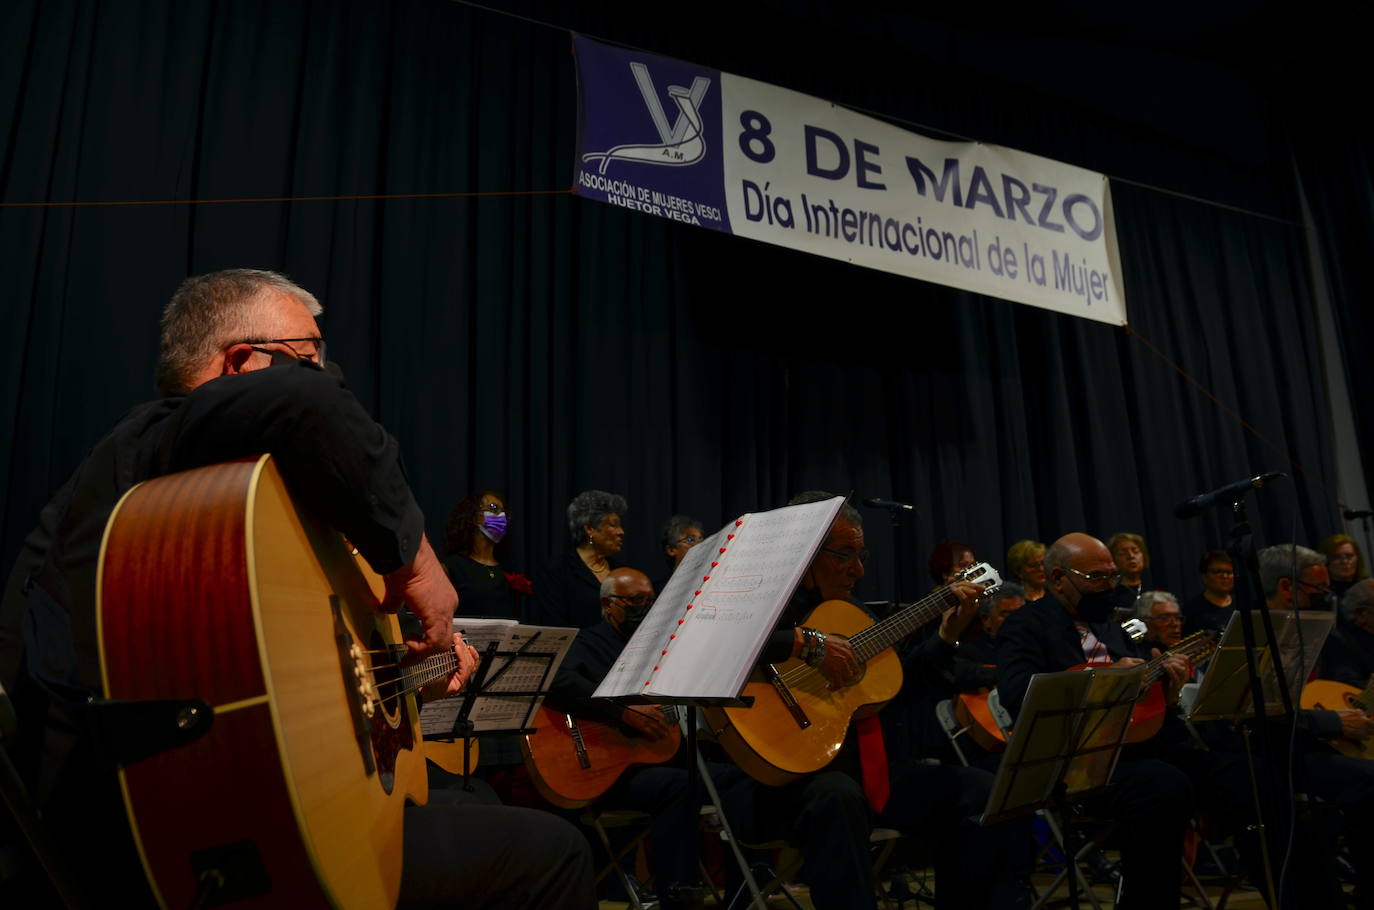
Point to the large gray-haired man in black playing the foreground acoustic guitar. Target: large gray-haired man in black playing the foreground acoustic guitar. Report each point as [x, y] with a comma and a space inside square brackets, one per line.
[221, 336]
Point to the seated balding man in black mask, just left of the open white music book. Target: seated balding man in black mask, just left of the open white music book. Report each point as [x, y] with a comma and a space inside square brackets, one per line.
[662, 790]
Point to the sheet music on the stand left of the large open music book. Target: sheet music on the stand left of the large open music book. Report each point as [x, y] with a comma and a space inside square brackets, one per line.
[528, 673]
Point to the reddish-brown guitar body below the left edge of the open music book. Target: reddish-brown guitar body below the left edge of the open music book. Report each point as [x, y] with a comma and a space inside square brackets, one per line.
[557, 770]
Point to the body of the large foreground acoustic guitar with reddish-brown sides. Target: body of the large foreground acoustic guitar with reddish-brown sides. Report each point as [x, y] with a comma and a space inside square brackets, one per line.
[214, 588]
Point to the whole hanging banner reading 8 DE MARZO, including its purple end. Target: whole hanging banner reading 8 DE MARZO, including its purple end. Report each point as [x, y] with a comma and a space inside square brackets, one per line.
[810, 175]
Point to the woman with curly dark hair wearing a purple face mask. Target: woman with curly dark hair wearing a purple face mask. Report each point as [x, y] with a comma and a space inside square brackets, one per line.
[477, 553]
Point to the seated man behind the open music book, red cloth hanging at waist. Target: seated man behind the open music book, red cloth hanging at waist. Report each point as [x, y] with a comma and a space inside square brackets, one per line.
[831, 814]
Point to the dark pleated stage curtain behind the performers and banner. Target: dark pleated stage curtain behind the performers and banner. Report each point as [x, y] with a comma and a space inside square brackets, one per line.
[542, 344]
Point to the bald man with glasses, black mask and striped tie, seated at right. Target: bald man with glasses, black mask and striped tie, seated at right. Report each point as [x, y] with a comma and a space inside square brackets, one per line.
[1152, 802]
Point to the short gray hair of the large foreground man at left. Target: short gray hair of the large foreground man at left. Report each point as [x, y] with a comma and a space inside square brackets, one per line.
[211, 313]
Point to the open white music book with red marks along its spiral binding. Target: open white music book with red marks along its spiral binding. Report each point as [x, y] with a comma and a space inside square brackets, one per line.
[712, 619]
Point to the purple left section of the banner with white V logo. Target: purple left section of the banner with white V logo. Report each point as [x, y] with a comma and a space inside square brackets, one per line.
[649, 134]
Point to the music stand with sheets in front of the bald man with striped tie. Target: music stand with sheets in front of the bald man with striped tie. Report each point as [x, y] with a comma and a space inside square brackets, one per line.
[1064, 748]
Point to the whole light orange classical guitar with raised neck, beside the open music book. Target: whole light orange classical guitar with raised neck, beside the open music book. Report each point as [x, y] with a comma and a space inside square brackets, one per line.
[799, 722]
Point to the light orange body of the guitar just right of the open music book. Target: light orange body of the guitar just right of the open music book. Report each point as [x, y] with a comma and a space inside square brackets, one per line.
[769, 743]
